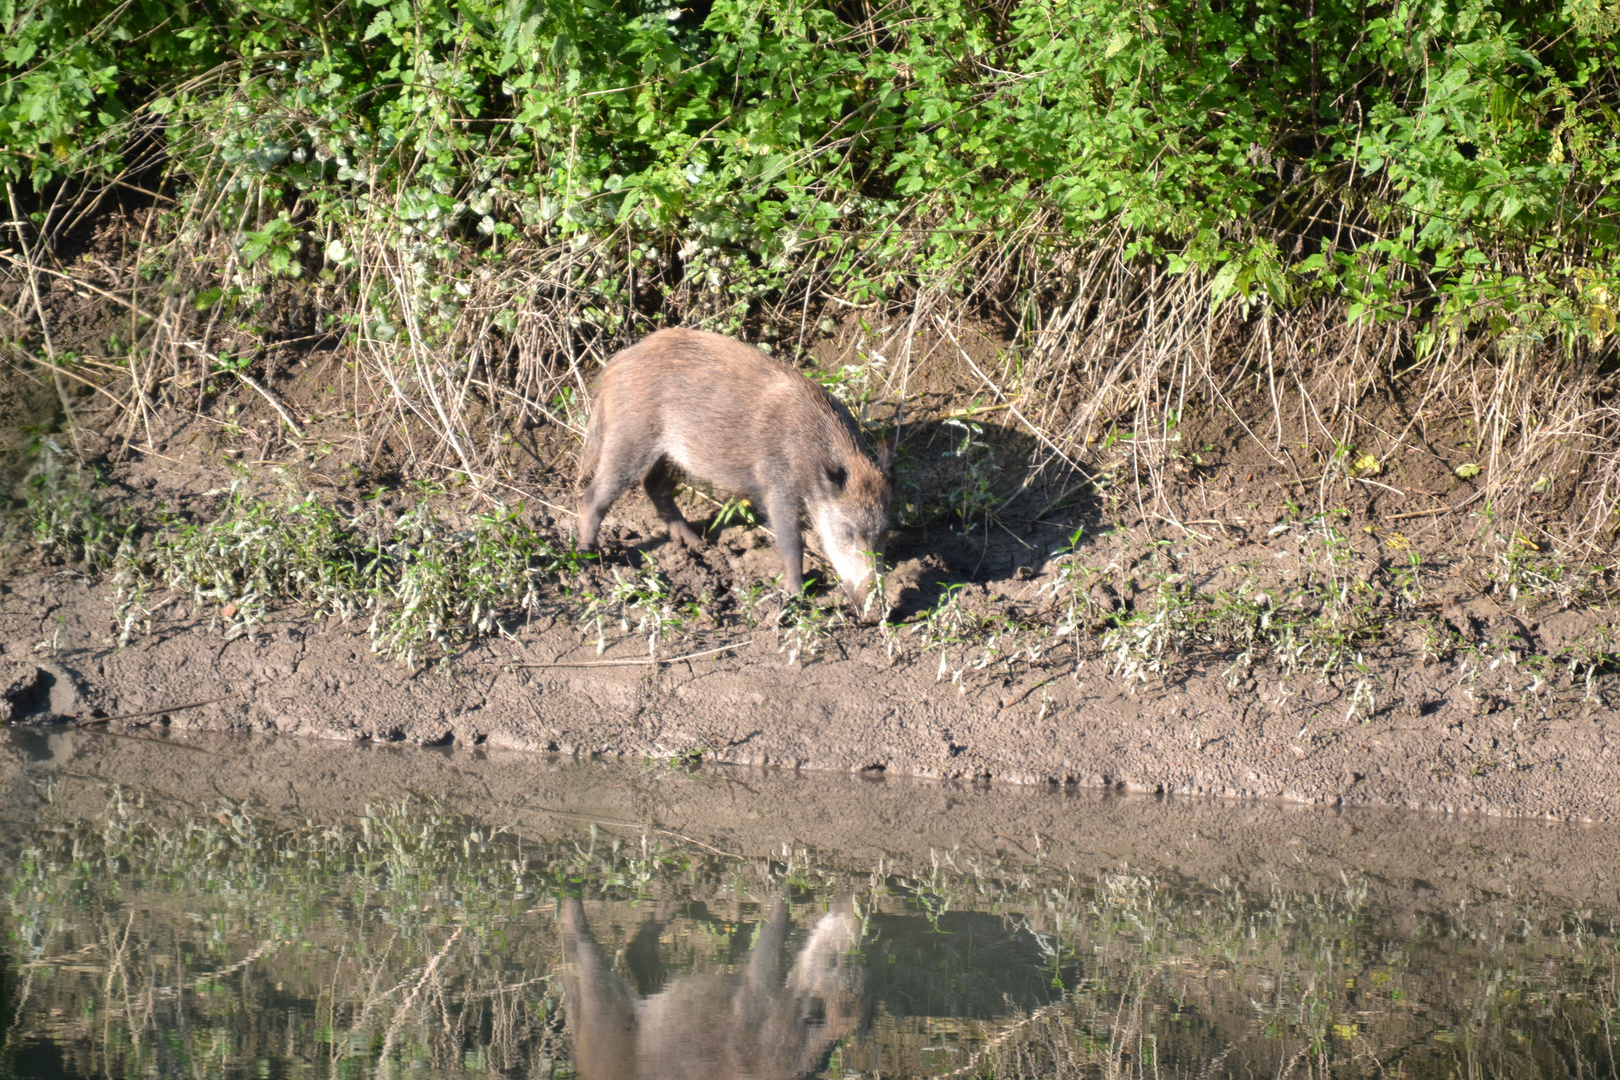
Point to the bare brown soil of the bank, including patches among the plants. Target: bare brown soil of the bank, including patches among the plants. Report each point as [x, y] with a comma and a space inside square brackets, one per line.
[1459, 733]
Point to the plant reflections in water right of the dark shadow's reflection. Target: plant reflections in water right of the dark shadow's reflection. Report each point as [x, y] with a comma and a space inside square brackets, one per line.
[1318, 987]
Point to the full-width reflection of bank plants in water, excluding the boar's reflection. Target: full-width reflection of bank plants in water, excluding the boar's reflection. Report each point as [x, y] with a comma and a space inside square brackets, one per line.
[150, 942]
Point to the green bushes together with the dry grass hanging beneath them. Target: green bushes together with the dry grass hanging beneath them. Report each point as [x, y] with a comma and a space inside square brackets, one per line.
[485, 198]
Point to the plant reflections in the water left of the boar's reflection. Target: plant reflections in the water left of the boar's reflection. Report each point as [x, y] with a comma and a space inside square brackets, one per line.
[151, 946]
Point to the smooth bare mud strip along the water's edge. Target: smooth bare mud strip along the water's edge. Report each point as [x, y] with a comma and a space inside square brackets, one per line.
[1444, 738]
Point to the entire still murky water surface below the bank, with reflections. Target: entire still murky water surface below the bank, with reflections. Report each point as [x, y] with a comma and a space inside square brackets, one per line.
[288, 909]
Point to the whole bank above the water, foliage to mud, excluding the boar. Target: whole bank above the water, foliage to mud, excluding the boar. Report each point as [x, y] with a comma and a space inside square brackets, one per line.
[1251, 372]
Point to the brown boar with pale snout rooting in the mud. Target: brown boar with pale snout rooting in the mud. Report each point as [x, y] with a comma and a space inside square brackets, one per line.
[684, 402]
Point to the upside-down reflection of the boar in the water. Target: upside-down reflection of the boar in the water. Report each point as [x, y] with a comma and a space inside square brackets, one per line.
[746, 1026]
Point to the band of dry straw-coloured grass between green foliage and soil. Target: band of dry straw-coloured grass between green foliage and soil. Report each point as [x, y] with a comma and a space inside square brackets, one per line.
[451, 352]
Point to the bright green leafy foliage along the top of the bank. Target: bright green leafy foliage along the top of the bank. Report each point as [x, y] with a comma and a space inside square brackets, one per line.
[1446, 159]
